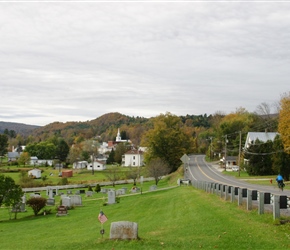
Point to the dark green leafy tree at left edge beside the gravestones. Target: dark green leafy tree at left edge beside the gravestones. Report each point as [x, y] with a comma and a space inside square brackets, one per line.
[10, 193]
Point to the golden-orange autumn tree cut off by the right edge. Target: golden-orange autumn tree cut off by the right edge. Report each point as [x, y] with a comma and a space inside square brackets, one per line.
[284, 121]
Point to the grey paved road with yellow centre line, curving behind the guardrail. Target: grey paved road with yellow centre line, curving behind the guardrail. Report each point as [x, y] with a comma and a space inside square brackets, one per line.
[199, 169]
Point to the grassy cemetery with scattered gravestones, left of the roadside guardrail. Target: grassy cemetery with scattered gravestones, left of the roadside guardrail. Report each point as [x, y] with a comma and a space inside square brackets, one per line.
[156, 218]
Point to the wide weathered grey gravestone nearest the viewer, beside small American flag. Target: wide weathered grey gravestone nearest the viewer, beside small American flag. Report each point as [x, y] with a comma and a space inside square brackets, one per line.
[124, 230]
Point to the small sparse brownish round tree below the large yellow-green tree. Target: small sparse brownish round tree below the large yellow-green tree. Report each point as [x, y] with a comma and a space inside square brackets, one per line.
[157, 168]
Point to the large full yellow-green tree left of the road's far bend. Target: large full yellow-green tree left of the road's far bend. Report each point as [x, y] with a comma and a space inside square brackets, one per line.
[167, 140]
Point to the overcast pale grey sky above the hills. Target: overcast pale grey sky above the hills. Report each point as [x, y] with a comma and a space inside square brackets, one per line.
[66, 61]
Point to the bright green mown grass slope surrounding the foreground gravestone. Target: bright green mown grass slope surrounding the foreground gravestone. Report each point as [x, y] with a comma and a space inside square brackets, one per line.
[176, 218]
